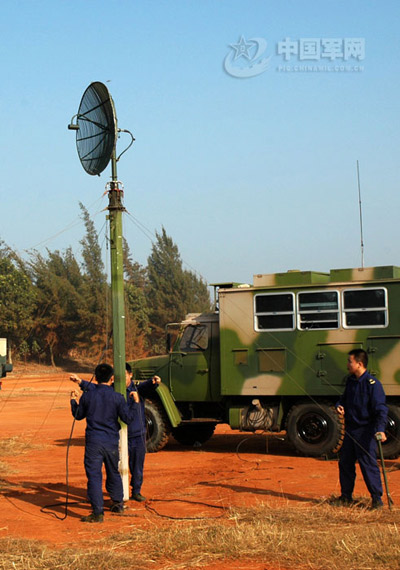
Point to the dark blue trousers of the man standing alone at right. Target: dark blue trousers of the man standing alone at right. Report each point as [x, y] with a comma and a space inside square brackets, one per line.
[359, 445]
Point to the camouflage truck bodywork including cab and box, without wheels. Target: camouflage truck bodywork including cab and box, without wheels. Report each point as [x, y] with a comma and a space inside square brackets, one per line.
[240, 365]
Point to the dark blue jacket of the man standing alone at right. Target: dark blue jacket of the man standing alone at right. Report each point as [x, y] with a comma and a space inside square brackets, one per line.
[364, 404]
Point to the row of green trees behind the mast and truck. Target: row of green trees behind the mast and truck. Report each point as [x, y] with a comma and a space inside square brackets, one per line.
[54, 307]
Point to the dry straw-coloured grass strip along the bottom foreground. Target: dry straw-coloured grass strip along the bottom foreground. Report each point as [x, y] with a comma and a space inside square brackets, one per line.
[315, 538]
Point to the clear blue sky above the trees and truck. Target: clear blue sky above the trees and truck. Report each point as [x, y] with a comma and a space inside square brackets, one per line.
[248, 175]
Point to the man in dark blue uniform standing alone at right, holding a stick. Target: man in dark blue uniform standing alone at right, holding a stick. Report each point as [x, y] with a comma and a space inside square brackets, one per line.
[365, 412]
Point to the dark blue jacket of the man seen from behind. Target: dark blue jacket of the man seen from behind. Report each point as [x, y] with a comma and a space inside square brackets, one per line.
[101, 407]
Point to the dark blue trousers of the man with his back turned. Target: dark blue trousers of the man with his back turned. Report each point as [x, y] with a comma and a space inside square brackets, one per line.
[95, 455]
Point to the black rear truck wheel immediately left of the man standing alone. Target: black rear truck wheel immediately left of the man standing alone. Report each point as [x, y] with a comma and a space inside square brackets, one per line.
[315, 429]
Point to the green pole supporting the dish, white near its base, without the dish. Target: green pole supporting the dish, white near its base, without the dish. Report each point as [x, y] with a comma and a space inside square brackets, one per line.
[115, 209]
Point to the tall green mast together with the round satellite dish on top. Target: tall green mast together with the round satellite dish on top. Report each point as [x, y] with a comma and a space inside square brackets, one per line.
[96, 138]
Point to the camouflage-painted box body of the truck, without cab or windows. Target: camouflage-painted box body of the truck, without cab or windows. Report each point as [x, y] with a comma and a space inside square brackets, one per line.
[306, 362]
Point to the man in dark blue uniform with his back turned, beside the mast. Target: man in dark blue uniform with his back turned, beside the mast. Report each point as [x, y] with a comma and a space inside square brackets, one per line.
[102, 407]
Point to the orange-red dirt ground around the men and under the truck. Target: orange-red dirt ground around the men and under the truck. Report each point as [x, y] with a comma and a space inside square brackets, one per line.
[232, 469]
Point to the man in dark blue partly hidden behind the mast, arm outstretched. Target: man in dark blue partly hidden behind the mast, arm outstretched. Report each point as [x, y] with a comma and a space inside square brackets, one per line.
[137, 430]
